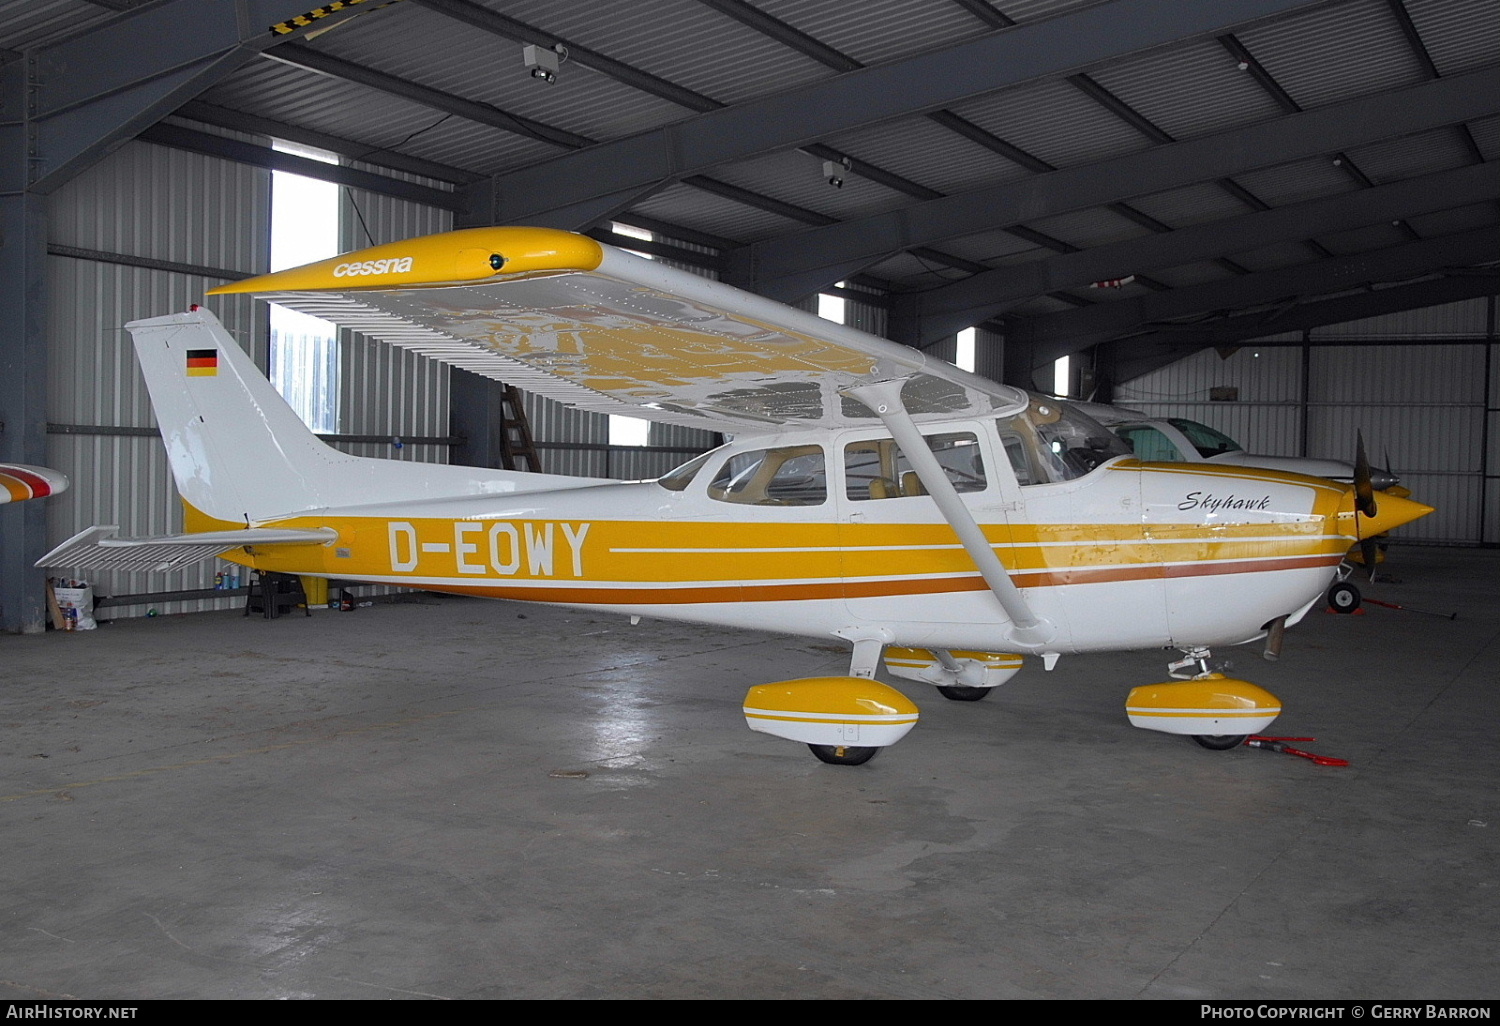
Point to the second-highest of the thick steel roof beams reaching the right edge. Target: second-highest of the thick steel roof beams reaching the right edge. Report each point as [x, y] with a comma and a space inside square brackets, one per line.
[953, 308]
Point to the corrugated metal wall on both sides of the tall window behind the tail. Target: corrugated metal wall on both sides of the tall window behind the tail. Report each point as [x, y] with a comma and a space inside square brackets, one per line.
[163, 205]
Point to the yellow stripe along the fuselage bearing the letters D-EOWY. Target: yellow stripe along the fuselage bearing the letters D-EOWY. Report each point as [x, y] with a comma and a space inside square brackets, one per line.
[640, 562]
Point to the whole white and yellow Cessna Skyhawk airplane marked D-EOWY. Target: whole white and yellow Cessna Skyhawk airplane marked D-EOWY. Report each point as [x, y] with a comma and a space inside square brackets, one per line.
[871, 493]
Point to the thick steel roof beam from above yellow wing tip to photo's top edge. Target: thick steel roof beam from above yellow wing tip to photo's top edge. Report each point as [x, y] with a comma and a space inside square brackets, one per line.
[871, 95]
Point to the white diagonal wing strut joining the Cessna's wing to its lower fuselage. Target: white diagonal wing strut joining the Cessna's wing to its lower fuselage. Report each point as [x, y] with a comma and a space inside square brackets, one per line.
[884, 398]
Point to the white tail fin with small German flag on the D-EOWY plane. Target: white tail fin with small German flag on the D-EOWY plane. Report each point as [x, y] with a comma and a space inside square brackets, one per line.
[241, 455]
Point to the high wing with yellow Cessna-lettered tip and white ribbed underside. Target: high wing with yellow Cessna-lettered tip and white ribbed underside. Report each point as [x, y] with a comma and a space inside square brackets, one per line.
[601, 329]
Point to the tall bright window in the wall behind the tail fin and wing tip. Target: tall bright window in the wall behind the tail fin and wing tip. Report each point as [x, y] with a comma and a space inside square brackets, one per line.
[305, 350]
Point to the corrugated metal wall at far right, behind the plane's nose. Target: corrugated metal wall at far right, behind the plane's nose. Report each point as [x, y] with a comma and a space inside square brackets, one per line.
[1424, 395]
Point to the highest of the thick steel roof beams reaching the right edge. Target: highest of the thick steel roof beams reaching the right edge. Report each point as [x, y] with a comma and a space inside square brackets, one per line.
[800, 265]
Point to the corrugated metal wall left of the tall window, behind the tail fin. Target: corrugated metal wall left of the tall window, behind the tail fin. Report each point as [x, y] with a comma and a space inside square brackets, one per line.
[143, 202]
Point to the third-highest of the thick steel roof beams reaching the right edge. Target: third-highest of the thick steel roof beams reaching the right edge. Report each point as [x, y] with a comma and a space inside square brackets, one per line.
[1058, 335]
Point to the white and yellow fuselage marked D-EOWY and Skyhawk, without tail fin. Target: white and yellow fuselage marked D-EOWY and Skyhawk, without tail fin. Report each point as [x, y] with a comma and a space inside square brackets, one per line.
[809, 533]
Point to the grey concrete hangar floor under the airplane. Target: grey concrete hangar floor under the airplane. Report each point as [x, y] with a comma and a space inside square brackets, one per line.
[460, 799]
